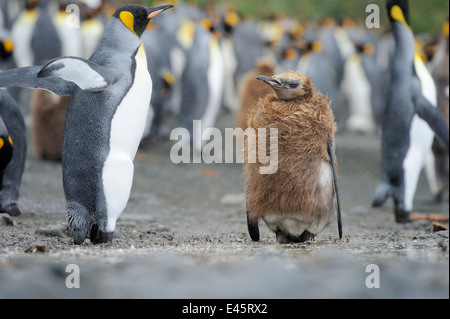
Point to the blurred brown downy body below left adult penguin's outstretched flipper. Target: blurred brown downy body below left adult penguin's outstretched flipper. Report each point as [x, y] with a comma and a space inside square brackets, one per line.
[48, 112]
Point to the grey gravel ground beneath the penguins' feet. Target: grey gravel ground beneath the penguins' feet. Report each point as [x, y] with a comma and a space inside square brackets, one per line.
[183, 235]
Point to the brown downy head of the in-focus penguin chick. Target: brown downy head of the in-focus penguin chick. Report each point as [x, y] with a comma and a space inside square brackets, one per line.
[289, 85]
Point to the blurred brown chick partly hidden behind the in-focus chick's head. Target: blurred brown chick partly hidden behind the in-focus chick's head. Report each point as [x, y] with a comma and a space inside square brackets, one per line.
[250, 90]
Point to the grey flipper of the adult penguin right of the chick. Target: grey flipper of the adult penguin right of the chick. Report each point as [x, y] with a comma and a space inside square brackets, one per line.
[426, 111]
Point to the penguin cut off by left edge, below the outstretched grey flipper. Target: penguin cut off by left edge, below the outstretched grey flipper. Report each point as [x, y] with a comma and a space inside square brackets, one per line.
[13, 171]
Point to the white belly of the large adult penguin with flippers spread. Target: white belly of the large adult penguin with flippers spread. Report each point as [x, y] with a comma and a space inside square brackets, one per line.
[127, 128]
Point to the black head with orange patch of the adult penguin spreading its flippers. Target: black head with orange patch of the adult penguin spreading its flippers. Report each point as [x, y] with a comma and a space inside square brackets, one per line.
[136, 18]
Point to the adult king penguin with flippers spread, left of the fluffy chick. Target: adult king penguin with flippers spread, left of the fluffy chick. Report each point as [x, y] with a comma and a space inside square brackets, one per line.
[105, 120]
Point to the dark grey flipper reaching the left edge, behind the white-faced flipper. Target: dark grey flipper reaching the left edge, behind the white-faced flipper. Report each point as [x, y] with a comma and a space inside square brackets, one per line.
[27, 77]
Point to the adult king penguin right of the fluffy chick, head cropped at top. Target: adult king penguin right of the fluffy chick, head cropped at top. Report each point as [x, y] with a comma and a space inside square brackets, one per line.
[404, 145]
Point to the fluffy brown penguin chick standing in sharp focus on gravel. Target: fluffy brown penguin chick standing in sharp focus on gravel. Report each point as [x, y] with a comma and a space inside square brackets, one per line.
[298, 200]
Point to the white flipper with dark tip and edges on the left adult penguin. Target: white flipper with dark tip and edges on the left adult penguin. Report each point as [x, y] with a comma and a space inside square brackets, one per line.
[85, 74]
